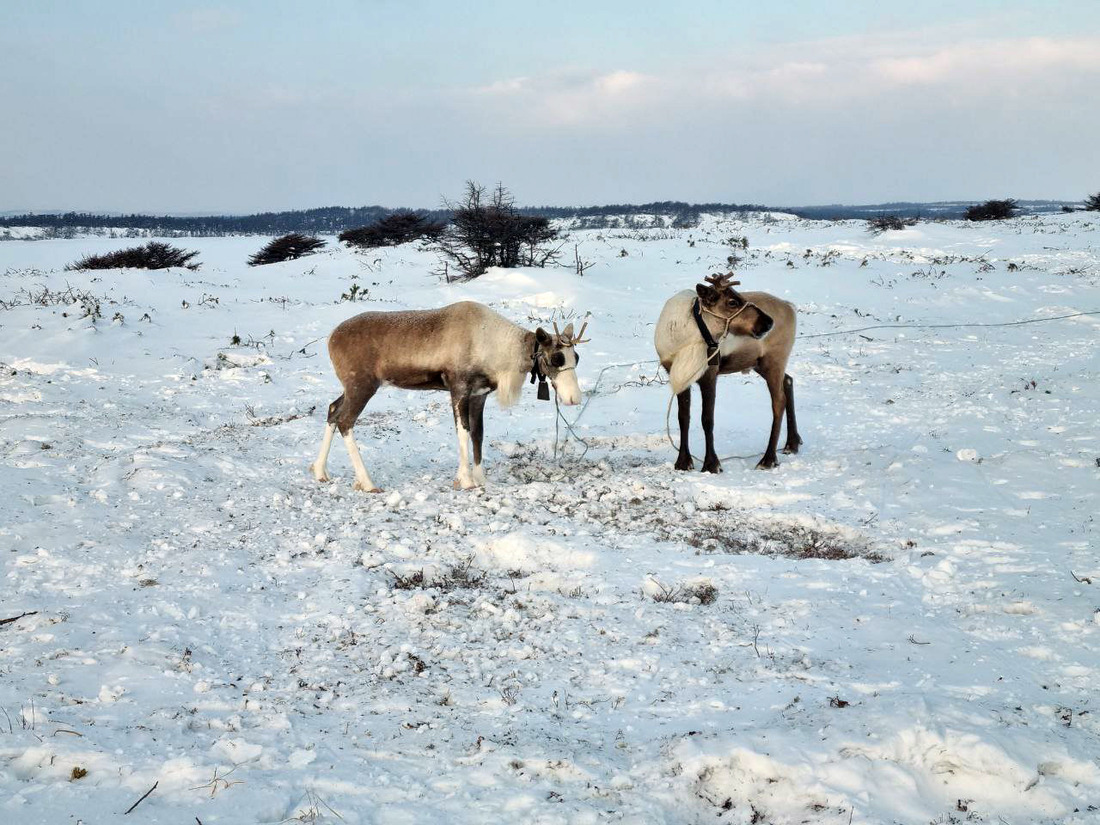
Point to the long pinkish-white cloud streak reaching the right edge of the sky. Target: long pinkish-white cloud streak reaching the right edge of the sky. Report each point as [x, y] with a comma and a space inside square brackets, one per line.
[823, 74]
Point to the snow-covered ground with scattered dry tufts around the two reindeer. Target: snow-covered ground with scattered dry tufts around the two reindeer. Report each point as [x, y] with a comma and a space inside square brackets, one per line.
[905, 620]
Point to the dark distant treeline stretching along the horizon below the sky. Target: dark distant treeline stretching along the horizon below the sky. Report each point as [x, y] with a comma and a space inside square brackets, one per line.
[334, 221]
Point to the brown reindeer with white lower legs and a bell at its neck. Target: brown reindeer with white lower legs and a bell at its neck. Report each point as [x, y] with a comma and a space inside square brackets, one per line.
[465, 348]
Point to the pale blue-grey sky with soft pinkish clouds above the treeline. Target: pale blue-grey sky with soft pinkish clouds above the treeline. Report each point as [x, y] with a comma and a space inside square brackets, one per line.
[175, 107]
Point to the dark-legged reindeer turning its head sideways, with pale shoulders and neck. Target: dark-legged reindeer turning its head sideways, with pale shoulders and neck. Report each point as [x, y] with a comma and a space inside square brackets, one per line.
[716, 332]
